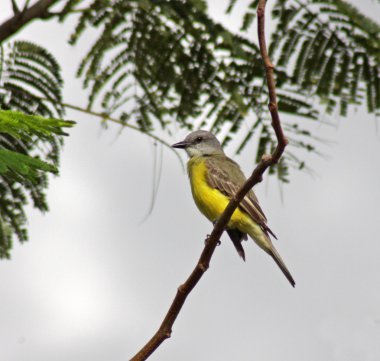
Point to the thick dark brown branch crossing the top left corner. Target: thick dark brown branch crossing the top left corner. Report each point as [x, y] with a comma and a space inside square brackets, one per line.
[20, 18]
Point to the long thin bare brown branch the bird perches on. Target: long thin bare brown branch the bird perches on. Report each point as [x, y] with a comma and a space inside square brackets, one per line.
[184, 290]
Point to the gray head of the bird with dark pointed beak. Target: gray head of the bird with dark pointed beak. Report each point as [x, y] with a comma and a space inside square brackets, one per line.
[200, 142]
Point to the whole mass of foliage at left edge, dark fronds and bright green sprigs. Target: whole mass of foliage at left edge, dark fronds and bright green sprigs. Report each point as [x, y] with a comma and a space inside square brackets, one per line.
[30, 82]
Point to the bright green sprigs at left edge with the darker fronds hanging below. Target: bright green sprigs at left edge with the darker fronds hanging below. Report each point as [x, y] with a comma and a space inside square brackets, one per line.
[29, 147]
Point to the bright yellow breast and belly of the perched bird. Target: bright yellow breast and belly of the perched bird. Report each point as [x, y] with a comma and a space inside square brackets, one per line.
[210, 201]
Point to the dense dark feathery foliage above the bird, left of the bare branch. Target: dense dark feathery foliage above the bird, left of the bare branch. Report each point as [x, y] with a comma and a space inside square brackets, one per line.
[165, 63]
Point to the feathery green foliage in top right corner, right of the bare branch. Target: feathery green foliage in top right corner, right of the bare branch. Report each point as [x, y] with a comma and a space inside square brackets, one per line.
[329, 50]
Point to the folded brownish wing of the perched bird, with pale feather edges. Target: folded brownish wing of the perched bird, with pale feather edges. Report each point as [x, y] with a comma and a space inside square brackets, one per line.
[226, 176]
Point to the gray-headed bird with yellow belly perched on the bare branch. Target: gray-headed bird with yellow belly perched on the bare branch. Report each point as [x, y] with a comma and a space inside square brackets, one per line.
[214, 180]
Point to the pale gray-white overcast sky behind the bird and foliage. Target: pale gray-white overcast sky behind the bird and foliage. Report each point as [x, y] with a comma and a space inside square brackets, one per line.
[94, 284]
